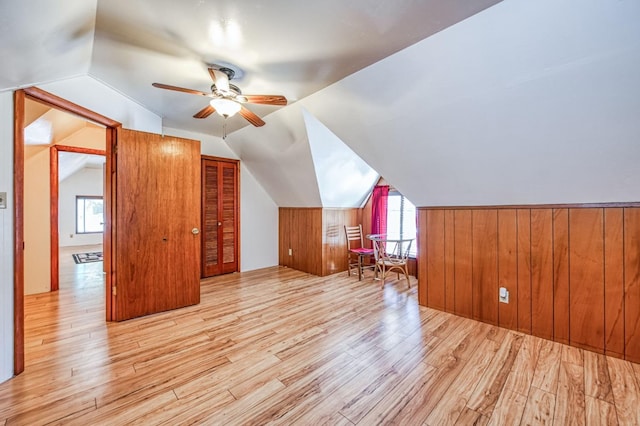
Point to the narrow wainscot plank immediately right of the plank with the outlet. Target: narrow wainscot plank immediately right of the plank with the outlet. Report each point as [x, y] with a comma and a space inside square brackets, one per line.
[524, 270]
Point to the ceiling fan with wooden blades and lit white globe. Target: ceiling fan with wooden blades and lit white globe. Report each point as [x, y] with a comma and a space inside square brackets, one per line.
[227, 99]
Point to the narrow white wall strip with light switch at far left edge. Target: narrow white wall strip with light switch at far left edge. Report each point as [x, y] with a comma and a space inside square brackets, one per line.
[6, 236]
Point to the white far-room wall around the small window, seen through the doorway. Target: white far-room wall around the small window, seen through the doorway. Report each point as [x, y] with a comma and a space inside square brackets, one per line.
[86, 181]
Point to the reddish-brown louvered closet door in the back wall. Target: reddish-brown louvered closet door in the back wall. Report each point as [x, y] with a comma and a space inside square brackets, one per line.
[219, 216]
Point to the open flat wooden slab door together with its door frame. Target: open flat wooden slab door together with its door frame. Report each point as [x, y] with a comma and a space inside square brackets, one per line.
[151, 252]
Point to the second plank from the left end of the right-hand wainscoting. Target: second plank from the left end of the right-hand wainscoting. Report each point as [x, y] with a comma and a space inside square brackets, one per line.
[435, 260]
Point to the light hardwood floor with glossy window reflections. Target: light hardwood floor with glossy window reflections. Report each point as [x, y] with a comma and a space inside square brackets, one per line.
[284, 347]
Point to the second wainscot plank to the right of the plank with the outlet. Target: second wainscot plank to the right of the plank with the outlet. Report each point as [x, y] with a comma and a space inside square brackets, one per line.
[542, 273]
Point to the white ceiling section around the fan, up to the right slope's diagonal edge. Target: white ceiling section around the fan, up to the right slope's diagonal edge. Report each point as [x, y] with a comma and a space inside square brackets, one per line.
[281, 47]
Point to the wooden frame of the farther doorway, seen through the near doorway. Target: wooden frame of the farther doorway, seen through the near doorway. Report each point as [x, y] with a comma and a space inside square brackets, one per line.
[54, 188]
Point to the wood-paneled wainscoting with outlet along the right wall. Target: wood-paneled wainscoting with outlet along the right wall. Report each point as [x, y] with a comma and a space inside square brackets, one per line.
[572, 272]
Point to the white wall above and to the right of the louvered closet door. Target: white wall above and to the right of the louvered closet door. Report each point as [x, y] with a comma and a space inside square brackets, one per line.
[258, 212]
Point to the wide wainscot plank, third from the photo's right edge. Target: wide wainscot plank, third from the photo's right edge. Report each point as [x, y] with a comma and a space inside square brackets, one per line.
[586, 246]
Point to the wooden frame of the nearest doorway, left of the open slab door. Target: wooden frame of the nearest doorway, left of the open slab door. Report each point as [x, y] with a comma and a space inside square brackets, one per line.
[39, 95]
